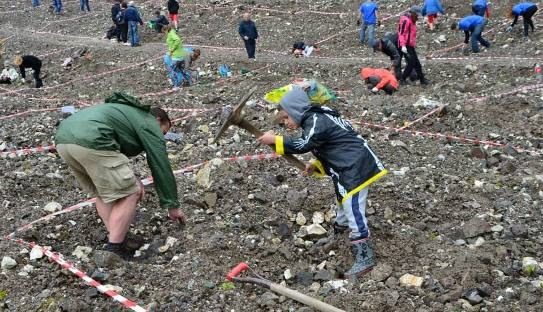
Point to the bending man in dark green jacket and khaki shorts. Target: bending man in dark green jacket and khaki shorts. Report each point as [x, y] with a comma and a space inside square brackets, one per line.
[96, 143]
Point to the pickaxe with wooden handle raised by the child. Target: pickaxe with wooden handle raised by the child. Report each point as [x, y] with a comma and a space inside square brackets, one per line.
[235, 117]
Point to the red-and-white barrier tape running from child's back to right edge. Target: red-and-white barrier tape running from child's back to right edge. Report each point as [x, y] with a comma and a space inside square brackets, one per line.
[448, 137]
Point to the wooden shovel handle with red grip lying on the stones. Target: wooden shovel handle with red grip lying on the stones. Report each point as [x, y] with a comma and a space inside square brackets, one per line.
[287, 292]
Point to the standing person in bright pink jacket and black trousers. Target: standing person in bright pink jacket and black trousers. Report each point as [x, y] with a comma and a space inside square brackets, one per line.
[407, 41]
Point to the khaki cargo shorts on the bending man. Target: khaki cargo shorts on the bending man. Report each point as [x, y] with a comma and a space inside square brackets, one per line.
[105, 174]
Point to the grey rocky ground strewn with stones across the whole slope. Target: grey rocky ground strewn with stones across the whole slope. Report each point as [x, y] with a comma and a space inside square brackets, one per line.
[460, 218]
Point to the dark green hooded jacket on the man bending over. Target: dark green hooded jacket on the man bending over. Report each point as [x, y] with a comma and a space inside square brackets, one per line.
[124, 124]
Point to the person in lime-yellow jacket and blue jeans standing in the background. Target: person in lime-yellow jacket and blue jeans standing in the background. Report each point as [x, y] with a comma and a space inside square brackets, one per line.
[176, 55]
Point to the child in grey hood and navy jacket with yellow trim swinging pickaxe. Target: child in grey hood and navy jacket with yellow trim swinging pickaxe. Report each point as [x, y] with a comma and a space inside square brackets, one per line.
[343, 155]
